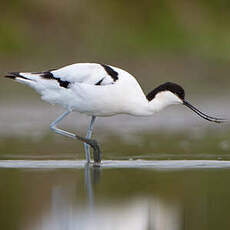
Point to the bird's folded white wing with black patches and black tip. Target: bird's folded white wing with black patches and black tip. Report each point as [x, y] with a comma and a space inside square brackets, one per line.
[88, 73]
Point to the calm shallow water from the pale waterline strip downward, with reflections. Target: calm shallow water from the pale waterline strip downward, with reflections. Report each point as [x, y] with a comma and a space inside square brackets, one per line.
[119, 195]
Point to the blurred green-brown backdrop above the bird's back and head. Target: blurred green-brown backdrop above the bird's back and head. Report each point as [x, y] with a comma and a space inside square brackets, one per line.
[183, 41]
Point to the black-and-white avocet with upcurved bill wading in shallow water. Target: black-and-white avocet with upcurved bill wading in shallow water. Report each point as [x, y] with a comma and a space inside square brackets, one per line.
[101, 90]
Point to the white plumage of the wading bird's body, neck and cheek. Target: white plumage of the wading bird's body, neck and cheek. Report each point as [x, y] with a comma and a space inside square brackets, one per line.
[121, 96]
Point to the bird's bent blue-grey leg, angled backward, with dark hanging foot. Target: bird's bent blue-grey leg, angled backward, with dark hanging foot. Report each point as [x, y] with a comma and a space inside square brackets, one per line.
[91, 142]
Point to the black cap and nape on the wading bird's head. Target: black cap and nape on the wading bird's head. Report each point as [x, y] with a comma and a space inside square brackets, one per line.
[168, 86]
